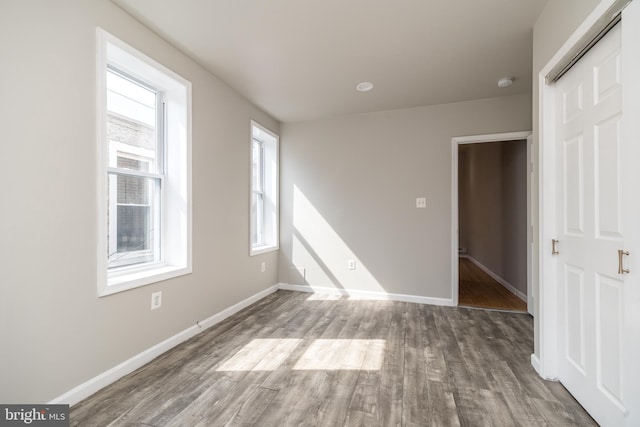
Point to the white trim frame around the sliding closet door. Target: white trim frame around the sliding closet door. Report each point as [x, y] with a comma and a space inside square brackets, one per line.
[545, 361]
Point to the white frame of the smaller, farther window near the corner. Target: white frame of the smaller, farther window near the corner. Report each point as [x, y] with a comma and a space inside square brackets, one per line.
[270, 183]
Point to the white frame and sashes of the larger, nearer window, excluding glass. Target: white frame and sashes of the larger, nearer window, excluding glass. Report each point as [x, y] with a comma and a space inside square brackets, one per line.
[173, 167]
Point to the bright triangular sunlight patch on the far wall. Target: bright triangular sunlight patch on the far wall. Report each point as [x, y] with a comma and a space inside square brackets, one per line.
[323, 255]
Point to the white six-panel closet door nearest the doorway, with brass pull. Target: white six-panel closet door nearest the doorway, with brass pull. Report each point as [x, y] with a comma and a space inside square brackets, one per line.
[589, 200]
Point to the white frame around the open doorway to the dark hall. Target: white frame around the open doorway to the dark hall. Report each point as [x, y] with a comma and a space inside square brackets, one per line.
[476, 139]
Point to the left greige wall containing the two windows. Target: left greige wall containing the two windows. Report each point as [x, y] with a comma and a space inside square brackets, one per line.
[55, 332]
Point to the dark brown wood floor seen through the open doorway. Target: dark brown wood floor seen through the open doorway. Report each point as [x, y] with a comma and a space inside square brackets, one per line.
[478, 289]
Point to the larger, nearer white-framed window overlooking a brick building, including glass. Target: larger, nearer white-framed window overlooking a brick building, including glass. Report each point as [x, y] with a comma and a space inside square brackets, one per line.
[144, 147]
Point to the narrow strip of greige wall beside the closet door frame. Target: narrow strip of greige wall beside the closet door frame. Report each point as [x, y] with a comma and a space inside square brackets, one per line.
[556, 23]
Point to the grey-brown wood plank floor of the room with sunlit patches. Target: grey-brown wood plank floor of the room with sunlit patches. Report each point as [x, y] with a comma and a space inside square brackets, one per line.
[296, 359]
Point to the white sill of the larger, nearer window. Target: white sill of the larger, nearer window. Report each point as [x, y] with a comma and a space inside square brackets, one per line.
[133, 279]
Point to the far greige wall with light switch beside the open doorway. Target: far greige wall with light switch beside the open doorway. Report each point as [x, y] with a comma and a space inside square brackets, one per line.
[348, 190]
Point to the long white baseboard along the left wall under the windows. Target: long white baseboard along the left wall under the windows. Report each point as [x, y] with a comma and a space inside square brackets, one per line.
[88, 388]
